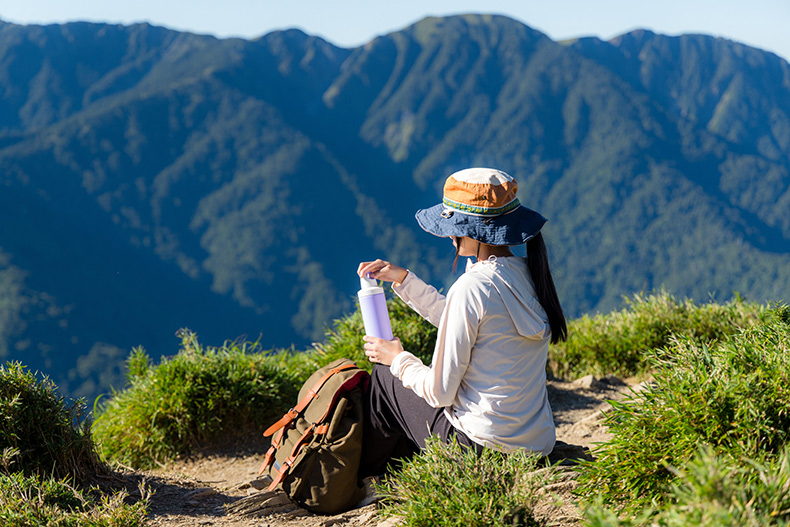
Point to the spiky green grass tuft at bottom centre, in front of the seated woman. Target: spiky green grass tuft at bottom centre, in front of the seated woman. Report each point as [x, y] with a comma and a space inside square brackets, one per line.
[447, 485]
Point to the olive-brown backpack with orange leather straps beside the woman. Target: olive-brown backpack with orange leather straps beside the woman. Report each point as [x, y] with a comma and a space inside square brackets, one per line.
[315, 452]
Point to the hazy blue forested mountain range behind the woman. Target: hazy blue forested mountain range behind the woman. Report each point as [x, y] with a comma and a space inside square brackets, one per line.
[151, 179]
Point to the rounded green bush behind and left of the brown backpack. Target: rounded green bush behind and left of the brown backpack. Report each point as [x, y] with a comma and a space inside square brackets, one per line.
[200, 397]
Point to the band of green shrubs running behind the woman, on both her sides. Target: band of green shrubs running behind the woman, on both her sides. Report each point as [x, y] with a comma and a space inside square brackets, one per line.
[199, 395]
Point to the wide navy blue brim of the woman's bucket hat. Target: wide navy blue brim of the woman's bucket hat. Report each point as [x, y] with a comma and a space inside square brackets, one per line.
[514, 228]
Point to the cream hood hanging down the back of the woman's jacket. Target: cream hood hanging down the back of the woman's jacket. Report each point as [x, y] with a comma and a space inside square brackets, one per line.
[512, 281]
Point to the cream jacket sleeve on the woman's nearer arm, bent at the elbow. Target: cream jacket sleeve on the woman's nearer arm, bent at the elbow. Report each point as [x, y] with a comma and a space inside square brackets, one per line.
[458, 325]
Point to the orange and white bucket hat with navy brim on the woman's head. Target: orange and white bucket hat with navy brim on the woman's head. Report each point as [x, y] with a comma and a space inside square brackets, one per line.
[481, 203]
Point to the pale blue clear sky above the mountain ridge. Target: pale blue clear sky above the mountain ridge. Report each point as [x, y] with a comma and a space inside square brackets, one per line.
[760, 23]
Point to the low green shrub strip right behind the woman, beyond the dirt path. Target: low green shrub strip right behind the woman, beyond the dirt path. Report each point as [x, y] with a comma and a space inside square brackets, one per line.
[616, 343]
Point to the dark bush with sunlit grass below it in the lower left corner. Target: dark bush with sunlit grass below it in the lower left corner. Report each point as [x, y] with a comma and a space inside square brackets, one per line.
[48, 459]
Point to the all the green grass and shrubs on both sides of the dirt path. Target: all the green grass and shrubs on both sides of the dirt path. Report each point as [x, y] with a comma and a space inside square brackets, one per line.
[707, 440]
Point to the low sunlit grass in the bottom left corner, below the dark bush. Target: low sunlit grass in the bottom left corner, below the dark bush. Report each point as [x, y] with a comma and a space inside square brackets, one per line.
[32, 501]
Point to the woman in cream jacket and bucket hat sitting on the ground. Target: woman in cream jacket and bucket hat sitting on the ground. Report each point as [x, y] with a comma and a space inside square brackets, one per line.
[486, 385]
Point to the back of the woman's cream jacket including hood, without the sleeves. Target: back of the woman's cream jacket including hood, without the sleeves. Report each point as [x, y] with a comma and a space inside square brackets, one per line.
[502, 398]
